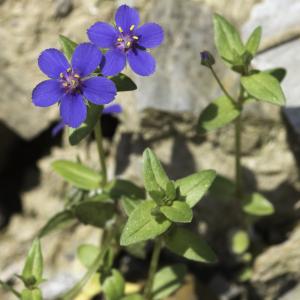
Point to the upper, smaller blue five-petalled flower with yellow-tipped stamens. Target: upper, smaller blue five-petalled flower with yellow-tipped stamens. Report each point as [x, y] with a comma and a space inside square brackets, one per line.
[127, 41]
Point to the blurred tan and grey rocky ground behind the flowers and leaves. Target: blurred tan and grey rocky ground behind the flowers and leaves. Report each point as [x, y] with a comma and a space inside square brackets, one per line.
[161, 114]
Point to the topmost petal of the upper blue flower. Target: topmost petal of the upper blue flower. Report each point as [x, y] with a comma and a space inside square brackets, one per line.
[126, 17]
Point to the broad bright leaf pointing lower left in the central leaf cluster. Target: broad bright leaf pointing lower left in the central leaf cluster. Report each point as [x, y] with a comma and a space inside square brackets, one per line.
[142, 225]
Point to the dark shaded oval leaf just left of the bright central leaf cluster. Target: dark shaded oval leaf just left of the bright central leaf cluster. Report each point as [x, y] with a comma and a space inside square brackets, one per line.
[94, 213]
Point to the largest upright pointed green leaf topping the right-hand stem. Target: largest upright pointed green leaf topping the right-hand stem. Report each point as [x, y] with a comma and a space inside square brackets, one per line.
[227, 39]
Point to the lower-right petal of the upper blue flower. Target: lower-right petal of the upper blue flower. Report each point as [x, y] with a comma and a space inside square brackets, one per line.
[141, 62]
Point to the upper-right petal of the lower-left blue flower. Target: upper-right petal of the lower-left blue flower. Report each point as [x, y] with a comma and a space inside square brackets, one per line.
[86, 58]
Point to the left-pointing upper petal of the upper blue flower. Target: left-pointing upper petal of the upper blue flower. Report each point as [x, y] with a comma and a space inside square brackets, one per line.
[102, 34]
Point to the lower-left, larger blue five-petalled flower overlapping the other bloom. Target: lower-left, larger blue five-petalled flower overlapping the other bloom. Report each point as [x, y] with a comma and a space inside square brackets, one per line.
[70, 84]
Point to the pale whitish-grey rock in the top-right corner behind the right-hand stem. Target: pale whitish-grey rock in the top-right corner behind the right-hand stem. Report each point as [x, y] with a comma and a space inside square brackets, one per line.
[283, 33]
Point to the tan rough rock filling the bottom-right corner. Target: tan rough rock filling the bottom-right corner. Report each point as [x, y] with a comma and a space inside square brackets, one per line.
[276, 271]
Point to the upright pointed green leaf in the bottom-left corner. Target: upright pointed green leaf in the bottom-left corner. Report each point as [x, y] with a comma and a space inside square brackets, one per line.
[33, 268]
